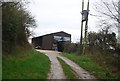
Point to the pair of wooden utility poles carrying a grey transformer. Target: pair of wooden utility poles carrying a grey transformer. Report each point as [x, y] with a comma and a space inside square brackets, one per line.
[85, 14]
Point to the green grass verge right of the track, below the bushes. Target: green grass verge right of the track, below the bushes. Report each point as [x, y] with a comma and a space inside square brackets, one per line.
[92, 66]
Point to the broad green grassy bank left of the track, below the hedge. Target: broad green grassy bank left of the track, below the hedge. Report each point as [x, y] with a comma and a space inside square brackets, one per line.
[28, 64]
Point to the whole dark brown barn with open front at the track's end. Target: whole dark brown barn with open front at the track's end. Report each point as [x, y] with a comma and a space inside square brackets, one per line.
[52, 41]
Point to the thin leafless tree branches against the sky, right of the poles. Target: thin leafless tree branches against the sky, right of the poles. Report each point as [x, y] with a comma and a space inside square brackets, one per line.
[108, 11]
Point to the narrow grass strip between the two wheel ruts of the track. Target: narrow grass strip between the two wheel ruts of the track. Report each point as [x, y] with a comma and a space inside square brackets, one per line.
[67, 69]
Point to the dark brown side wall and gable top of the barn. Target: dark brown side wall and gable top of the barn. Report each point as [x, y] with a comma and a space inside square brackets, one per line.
[47, 41]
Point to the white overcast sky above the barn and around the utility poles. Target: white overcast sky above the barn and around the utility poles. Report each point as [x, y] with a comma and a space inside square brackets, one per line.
[60, 15]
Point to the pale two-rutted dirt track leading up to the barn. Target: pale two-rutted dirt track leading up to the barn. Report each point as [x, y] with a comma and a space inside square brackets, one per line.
[56, 68]
